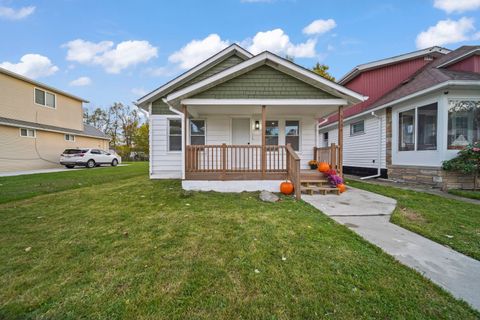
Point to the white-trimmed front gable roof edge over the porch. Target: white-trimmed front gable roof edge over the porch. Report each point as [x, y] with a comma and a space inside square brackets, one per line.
[274, 61]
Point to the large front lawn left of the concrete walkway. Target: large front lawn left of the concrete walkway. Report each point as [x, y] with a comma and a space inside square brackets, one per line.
[142, 249]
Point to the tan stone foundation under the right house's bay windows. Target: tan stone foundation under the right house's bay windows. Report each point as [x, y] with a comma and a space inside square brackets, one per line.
[432, 176]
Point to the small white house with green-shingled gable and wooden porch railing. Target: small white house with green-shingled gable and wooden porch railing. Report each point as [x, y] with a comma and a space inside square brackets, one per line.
[224, 125]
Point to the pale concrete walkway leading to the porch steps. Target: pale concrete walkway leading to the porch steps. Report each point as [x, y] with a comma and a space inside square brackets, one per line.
[368, 214]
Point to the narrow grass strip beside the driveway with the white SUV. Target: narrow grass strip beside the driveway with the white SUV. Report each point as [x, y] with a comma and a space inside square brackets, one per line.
[27, 186]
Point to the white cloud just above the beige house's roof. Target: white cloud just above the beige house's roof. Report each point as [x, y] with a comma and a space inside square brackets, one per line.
[31, 65]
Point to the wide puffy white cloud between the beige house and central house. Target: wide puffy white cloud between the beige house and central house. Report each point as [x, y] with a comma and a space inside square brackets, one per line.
[112, 59]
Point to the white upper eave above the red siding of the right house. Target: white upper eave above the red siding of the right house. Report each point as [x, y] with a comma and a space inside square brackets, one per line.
[392, 60]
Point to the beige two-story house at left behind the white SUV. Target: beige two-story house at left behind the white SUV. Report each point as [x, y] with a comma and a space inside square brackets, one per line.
[37, 122]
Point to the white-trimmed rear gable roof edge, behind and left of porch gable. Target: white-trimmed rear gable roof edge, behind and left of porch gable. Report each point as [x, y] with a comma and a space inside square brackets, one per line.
[229, 51]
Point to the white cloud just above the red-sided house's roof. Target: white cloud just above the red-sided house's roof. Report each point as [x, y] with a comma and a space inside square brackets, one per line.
[446, 32]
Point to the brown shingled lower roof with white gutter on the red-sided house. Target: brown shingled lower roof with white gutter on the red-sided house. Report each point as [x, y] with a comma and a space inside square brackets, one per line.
[431, 77]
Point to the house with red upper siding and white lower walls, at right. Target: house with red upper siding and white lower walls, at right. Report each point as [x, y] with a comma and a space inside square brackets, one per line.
[424, 106]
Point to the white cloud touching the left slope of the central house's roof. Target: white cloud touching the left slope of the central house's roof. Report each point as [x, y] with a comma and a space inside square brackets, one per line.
[196, 51]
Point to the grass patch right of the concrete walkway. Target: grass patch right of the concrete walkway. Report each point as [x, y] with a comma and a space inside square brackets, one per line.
[450, 222]
